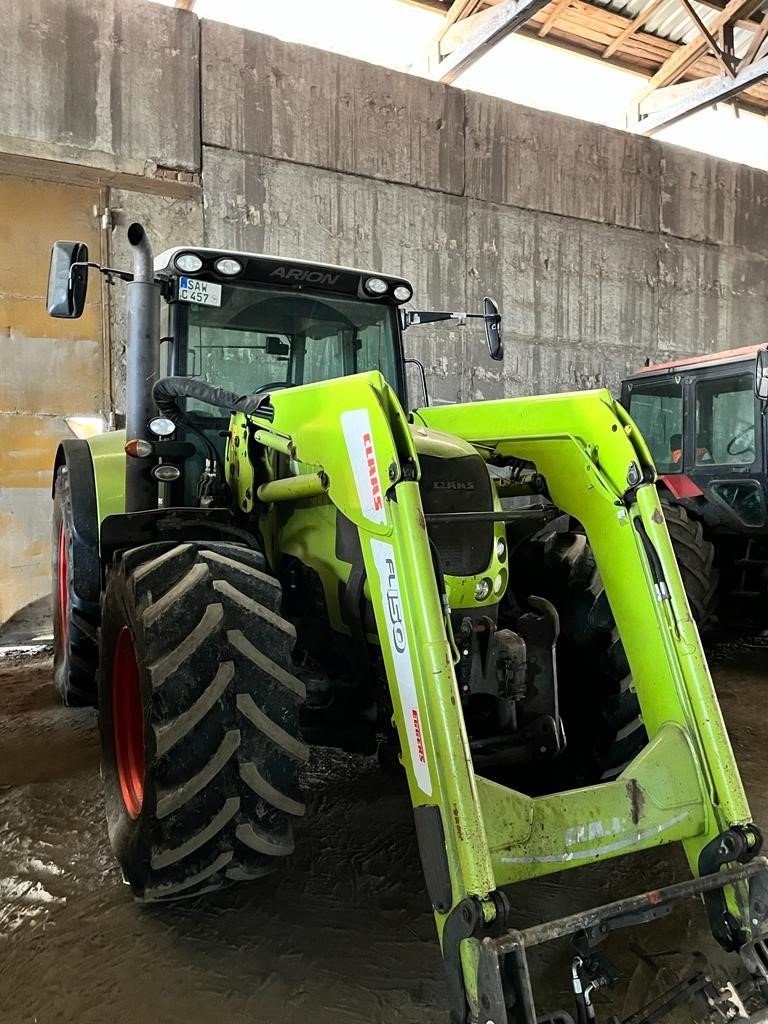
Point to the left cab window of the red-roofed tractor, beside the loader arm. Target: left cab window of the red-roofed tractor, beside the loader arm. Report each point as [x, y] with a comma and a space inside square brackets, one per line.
[657, 407]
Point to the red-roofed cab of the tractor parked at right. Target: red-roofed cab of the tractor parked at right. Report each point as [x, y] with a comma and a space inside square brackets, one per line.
[704, 423]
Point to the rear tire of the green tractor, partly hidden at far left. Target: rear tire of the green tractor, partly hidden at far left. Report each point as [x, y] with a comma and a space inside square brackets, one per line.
[75, 618]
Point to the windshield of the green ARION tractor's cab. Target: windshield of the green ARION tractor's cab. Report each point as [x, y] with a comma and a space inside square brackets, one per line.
[260, 340]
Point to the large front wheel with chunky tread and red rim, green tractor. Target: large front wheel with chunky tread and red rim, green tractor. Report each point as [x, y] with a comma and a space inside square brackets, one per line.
[199, 719]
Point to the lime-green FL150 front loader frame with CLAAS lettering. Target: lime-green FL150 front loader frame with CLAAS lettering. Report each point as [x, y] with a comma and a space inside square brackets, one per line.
[477, 836]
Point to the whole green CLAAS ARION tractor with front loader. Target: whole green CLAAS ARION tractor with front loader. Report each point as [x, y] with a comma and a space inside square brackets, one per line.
[278, 553]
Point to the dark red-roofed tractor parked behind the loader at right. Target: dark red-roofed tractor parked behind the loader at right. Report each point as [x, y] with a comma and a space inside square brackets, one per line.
[704, 421]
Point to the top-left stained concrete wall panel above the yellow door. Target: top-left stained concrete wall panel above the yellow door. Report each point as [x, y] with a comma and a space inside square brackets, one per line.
[111, 84]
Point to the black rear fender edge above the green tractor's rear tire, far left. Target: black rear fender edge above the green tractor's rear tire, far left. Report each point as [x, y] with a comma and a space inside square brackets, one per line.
[76, 456]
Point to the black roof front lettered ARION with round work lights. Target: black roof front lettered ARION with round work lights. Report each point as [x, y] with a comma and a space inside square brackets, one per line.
[279, 271]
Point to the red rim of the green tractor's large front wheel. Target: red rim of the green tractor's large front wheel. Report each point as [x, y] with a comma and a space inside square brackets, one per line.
[129, 723]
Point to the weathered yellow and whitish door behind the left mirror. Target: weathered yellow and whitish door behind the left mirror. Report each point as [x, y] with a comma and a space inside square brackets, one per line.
[49, 369]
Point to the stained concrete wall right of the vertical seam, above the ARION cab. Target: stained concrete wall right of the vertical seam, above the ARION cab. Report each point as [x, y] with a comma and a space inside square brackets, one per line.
[604, 248]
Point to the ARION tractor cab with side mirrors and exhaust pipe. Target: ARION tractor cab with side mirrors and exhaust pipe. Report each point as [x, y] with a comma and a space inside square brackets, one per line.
[249, 325]
